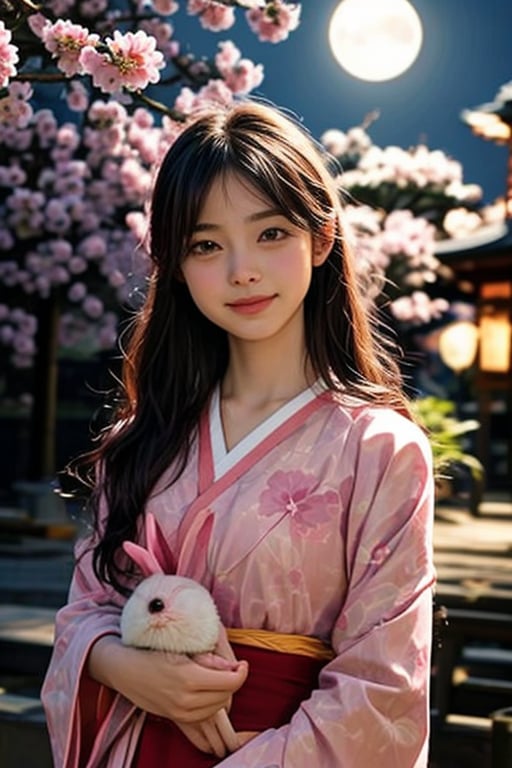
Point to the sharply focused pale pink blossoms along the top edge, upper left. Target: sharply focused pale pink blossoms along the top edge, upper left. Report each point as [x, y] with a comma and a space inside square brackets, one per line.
[128, 59]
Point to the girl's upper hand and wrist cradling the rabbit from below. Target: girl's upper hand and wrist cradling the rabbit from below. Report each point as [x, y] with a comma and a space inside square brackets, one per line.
[165, 684]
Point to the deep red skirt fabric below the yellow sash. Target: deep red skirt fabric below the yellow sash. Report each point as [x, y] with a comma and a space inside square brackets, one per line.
[276, 684]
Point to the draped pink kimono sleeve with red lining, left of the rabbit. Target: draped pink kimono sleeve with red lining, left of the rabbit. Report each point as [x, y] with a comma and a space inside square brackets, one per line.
[72, 701]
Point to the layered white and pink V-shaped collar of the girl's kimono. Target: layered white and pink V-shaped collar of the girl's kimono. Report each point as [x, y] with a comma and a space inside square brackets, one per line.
[217, 463]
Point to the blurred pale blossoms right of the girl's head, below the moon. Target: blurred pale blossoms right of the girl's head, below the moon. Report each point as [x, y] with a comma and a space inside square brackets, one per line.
[401, 203]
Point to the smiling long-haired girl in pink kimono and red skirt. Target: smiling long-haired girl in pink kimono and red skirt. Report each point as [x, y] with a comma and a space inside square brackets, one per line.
[263, 425]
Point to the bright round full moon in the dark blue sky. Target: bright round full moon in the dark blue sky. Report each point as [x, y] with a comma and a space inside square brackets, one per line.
[375, 39]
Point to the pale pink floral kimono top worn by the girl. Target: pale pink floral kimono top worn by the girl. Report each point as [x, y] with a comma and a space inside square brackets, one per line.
[318, 523]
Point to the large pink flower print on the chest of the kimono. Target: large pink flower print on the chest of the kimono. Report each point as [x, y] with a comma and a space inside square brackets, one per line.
[292, 493]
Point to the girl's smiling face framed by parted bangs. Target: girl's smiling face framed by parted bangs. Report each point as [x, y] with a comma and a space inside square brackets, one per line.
[248, 268]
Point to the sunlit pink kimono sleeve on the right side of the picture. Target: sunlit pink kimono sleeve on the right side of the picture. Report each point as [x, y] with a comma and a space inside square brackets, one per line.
[372, 703]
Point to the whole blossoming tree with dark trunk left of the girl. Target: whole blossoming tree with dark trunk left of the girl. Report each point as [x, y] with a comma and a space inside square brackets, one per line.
[91, 95]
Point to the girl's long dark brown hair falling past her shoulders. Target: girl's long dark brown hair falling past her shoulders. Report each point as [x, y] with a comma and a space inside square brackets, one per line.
[175, 357]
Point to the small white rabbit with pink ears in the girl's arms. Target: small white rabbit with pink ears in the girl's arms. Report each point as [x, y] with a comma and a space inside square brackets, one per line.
[173, 613]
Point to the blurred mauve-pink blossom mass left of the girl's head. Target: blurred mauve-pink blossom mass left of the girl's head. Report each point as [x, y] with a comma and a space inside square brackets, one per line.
[63, 196]
